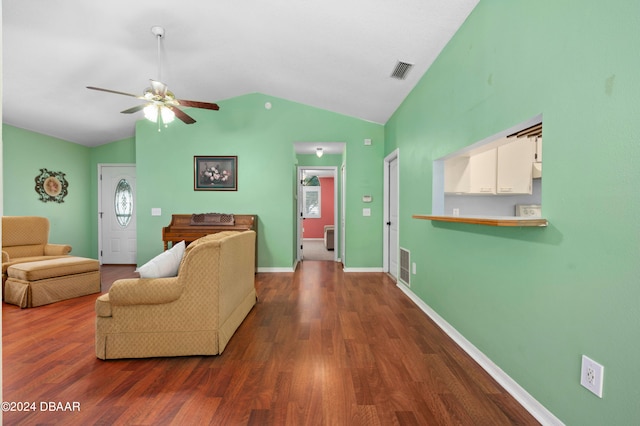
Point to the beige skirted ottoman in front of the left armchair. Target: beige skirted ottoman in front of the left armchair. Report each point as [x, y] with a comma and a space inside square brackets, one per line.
[47, 281]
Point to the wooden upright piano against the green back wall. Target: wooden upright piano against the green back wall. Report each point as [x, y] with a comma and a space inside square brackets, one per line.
[182, 228]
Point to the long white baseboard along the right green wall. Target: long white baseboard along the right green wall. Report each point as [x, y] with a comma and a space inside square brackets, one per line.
[529, 403]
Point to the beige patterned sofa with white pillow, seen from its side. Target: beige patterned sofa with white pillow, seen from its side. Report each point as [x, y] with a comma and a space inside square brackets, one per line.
[195, 313]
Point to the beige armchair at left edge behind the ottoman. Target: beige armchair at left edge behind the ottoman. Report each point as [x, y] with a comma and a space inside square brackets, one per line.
[26, 239]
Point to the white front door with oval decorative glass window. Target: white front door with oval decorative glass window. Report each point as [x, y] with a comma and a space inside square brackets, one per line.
[117, 214]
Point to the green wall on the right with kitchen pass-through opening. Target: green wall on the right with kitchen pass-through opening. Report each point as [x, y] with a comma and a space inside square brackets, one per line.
[535, 300]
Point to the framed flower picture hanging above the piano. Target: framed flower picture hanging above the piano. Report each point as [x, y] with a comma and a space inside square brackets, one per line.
[215, 173]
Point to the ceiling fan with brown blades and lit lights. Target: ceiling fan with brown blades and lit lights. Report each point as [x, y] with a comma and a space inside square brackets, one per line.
[161, 105]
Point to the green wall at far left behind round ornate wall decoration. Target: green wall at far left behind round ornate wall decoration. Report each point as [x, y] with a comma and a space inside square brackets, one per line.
[25, 153]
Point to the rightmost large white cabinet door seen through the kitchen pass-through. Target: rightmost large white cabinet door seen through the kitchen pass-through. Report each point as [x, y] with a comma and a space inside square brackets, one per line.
[515, 166]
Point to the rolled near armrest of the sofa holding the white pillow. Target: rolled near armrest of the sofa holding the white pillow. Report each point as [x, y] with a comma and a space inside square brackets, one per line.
[145, 291]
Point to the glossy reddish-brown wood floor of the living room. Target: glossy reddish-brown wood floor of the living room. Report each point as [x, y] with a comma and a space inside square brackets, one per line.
[320, 348]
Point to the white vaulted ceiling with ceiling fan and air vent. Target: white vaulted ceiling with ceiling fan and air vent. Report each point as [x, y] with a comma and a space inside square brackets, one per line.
[332, 54]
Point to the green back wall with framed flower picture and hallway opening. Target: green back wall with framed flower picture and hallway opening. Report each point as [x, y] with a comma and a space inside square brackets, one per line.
[263, 141]
